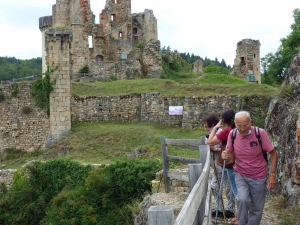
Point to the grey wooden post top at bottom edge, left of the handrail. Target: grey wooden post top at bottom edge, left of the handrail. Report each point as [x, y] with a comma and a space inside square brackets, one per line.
[161, 215]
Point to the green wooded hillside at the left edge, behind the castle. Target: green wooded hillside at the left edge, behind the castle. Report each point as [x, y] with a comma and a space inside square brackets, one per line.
[10, 67]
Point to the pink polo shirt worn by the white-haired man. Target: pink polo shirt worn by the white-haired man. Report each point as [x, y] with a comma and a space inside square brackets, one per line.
[248, 153]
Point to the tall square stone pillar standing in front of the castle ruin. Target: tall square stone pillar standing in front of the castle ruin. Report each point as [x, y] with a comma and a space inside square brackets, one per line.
[58, 47]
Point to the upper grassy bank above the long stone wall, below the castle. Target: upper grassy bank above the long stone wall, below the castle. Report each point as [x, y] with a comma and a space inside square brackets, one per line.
[185, 85]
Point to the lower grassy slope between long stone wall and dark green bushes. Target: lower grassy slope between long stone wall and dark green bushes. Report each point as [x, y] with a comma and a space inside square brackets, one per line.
[104, 143]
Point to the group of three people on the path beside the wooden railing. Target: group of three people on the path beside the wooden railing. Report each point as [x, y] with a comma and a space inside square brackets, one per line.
[246, 181]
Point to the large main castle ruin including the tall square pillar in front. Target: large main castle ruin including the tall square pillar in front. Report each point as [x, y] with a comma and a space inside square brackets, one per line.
[123, 45]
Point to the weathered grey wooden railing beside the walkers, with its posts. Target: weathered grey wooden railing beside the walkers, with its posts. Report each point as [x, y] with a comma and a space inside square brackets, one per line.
[196, 209]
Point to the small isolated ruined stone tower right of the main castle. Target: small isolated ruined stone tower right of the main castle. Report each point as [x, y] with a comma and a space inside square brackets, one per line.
[247, 60]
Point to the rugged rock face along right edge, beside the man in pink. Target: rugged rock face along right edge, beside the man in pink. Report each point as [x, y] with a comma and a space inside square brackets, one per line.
[283, 125]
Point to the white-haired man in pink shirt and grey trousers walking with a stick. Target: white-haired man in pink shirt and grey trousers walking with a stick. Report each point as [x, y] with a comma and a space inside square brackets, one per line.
[250, 169]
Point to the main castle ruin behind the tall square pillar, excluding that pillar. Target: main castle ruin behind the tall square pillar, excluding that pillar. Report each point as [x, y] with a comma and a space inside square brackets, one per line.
[112, 39]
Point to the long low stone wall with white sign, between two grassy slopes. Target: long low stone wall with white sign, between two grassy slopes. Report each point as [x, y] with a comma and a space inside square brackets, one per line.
[152, 107]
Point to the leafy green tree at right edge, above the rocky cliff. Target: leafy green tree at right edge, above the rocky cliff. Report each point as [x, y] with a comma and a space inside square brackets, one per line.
[275, 66]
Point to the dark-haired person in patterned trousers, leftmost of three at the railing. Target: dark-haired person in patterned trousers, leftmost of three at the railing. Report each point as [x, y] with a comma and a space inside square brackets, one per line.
[209, 123]
